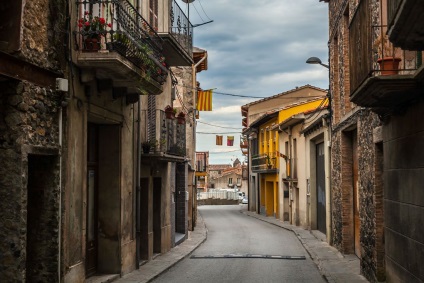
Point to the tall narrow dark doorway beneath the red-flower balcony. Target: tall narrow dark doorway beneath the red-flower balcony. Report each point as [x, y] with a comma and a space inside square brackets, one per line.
[92, 201]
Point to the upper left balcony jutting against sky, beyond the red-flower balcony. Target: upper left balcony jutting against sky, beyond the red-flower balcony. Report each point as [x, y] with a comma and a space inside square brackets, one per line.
[177, 36]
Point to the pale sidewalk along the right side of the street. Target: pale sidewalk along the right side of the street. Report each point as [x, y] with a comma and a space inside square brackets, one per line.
[333, 266]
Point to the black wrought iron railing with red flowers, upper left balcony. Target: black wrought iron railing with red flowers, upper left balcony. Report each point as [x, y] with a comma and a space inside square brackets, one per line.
[116, 26]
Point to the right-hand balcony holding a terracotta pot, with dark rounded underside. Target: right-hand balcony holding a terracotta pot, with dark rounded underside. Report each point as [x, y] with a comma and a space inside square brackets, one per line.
[374, 84]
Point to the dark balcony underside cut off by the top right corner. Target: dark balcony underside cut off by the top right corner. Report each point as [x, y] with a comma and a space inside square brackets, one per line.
[406, 23]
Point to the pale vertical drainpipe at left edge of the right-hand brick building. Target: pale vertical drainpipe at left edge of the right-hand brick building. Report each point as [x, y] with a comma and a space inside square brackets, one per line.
[327, 158]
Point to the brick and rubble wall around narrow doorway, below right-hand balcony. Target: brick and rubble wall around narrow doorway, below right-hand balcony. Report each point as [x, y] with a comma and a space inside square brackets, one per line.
[347, 118]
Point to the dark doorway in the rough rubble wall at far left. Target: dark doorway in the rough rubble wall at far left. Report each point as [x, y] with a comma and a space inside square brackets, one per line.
[42, 219]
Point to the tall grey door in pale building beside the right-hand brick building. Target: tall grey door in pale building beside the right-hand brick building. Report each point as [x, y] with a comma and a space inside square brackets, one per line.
[320, 167]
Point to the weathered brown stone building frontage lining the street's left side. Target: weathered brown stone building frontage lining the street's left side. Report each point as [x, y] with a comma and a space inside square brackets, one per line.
[77, 196]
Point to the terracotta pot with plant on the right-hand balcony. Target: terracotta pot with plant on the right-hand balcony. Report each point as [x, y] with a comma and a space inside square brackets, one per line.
[388, 62]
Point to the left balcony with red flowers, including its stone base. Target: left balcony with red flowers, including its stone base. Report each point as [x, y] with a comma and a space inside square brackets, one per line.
[114, 42]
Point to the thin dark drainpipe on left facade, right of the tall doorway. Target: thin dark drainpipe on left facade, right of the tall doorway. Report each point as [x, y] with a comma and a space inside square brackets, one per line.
[137, 189]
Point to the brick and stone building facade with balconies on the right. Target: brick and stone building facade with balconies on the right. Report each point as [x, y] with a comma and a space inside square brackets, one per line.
[372, 108]
